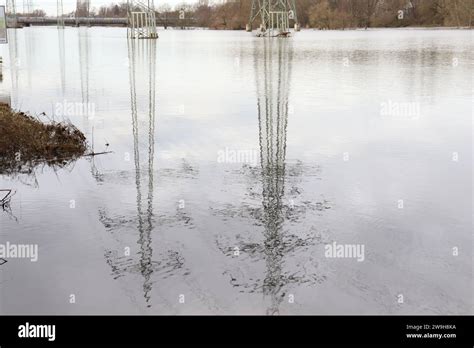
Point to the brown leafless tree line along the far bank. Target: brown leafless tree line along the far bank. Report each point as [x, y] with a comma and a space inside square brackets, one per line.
[321, 14]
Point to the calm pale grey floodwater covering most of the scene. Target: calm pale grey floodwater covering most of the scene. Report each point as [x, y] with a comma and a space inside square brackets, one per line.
[328, 173]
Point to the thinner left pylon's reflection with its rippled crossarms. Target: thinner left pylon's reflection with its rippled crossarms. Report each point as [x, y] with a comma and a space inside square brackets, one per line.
[147, 262]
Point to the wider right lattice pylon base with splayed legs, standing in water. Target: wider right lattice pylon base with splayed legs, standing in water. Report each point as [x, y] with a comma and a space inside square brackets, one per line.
[275, 17]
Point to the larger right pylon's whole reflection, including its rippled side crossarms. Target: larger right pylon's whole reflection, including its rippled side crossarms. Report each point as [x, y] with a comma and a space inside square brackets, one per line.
[280, 249]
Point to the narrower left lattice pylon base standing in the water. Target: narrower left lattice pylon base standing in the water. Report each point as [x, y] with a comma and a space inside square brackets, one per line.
[141, 20]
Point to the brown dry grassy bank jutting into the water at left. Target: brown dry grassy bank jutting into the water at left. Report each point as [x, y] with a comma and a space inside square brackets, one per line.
[26, 142]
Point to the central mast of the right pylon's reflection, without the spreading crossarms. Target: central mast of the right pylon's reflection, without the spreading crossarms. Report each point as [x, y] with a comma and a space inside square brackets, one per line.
[273, 72]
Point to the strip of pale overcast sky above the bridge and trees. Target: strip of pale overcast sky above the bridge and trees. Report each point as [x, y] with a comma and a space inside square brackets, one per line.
[69, 5]
